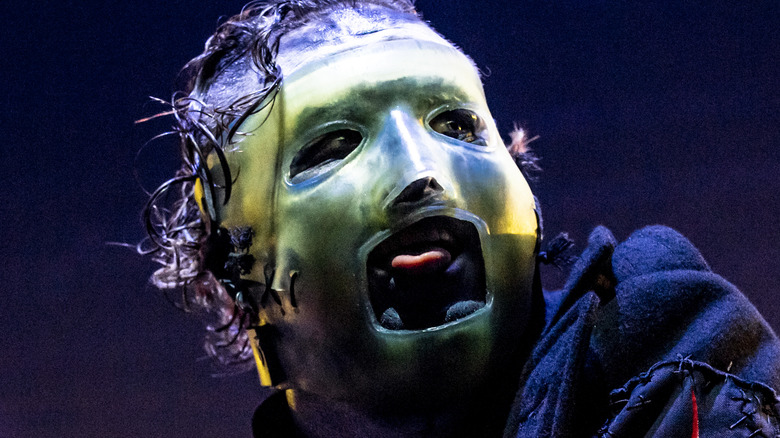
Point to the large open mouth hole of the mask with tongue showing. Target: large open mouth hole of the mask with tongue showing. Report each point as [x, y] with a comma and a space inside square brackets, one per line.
[426, 275]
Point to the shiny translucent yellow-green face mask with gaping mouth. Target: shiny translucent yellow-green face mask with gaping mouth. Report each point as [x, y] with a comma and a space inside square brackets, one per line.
[395, 238]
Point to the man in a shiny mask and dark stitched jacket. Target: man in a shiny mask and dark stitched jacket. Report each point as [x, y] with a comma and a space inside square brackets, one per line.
[351, 214]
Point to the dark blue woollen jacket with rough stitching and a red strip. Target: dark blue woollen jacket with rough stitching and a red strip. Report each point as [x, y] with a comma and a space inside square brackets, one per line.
[645, 341]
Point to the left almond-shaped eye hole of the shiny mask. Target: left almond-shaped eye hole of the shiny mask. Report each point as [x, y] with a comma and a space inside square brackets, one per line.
[323, 153]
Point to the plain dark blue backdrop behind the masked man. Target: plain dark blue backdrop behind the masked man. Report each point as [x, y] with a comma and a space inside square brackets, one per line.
[647, 113]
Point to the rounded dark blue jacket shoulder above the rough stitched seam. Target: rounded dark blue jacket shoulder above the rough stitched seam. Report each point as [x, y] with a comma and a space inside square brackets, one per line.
[668, 303]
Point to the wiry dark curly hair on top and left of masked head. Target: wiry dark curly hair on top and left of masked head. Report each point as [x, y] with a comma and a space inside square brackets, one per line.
[240, 55]
